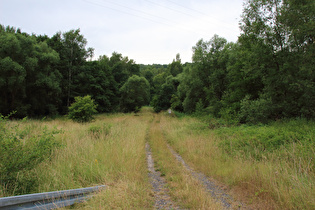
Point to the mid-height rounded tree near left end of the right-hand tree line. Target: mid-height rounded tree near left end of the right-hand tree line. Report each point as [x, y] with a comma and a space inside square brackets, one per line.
[206, 80]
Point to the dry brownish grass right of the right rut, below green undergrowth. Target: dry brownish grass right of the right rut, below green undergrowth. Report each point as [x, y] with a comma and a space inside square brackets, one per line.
[265, 184]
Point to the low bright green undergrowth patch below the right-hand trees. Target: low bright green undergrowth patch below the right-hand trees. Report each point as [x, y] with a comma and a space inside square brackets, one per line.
[289, 138]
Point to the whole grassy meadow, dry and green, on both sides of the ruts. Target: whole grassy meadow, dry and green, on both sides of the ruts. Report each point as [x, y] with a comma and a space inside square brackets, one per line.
[264, 166]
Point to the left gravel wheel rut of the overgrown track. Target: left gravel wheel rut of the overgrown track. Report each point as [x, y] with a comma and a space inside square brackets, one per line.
[162, 199]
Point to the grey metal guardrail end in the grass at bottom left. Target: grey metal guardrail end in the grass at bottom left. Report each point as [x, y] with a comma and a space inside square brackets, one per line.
[48, 200]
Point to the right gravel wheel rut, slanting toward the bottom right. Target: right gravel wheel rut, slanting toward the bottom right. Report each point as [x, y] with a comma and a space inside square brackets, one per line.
[210, 186]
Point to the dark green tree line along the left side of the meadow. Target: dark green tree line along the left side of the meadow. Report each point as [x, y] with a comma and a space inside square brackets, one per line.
[41, 75]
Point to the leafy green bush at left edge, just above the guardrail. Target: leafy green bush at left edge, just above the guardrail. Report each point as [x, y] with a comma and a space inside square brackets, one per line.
[20, 152]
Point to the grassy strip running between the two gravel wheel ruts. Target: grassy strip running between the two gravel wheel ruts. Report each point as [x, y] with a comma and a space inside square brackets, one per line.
[186, 191]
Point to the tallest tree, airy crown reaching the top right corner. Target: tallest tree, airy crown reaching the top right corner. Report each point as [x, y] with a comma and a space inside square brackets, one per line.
[276, 34]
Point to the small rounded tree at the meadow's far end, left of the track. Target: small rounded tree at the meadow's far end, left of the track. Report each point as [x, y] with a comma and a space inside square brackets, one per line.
[135, 93]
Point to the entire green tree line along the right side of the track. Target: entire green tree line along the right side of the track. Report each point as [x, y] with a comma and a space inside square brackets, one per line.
[267, 74]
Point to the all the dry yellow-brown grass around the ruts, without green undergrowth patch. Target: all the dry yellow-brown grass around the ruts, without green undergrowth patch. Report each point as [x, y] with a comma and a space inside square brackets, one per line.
[116, 157]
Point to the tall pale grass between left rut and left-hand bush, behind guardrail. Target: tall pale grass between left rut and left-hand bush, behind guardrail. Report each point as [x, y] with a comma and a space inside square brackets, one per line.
[108, 151]
